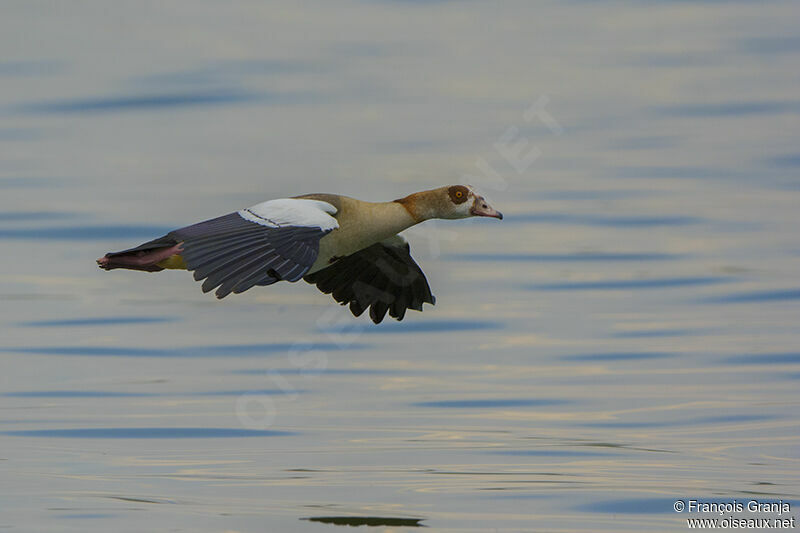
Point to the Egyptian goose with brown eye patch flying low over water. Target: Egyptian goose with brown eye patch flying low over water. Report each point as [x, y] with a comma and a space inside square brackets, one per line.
[346, 247]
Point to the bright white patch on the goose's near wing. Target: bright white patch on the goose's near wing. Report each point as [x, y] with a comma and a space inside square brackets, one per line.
[292, 212]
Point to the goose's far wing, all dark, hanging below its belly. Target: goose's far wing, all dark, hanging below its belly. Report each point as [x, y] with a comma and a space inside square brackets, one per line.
[382, 277]
